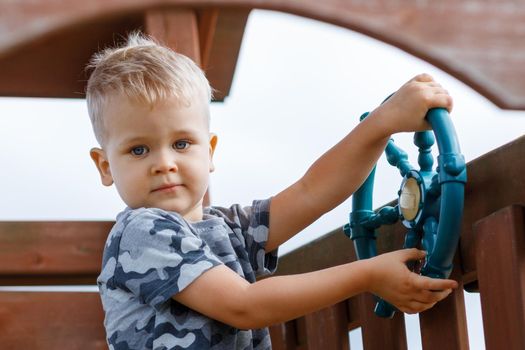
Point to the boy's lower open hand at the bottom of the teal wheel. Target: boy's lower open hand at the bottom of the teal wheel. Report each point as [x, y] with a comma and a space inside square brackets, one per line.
[391, 280]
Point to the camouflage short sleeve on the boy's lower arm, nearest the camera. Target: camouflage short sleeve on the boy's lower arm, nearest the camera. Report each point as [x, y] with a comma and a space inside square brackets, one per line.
[159, 256]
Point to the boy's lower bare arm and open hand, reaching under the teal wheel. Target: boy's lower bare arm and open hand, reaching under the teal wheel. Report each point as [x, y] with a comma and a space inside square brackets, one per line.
[223, 295]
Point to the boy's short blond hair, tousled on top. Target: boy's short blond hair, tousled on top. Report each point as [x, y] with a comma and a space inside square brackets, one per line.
[144, 71]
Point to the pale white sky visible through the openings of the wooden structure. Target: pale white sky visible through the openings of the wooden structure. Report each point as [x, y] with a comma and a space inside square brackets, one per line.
[300, 86]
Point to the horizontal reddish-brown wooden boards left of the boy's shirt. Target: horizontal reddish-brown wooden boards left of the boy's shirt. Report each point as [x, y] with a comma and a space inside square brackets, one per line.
[51, 253]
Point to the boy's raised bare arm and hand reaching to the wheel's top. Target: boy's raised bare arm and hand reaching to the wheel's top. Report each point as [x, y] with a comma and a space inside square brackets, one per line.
[341, 170]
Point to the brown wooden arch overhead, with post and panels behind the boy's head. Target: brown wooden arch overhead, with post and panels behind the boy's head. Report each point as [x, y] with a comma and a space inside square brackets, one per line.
[44, 44]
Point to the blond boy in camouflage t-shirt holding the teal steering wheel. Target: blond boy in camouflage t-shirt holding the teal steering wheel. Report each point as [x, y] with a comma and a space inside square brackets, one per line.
[177, 275]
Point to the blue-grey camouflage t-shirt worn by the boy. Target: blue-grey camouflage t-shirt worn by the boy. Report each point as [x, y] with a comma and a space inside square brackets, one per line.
[151, 255]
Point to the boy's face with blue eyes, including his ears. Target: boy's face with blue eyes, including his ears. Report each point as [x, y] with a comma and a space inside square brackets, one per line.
[158, 157]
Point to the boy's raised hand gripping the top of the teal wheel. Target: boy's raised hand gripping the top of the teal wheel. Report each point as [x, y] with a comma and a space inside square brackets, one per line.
[406, 109]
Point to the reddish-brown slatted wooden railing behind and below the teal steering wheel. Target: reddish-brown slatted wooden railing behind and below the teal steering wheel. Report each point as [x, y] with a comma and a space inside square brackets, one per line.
[490, 260]
